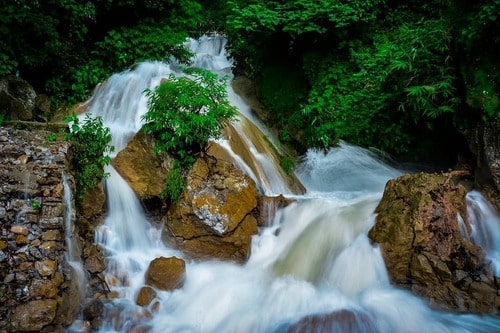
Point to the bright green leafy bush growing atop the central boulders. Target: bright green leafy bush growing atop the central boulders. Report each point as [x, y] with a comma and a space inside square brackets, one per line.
[185, 112]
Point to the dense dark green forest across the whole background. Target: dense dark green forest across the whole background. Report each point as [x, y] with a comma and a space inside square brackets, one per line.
[404, 77]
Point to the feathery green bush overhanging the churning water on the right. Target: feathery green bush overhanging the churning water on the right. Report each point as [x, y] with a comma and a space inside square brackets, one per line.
[378, 94]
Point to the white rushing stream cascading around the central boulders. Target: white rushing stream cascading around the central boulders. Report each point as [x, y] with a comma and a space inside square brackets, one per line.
[320, 261]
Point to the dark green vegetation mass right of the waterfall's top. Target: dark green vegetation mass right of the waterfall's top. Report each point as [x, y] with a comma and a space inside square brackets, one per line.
[397, 76]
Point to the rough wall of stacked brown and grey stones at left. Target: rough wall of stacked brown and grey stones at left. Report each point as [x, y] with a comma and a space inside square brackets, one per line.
[37, 288]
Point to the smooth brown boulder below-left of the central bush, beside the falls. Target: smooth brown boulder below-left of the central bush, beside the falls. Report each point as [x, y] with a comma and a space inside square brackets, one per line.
[144, 171]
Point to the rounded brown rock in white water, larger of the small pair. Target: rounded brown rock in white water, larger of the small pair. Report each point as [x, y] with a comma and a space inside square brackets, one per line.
[166, 273]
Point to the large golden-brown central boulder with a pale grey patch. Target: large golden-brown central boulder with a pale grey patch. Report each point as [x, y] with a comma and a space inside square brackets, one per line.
[214, 218]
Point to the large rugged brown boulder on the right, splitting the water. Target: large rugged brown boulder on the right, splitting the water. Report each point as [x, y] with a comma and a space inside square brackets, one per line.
[424, 251]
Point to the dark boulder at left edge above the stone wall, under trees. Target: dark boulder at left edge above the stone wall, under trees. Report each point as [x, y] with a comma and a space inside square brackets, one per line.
[17, 98]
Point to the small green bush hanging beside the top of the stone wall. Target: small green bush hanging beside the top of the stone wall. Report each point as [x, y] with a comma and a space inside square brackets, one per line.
[90, 146]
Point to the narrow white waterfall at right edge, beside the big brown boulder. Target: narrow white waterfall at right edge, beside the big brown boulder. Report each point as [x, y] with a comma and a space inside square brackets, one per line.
[485, 225]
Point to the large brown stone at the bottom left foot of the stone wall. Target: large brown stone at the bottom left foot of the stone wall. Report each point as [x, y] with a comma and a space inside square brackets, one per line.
[34, 316]
